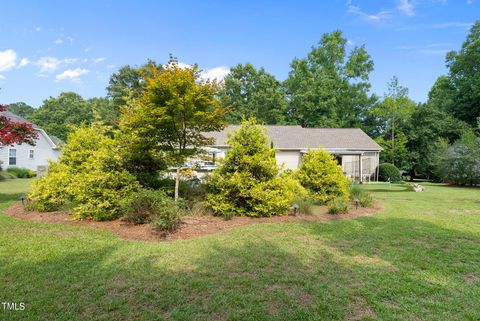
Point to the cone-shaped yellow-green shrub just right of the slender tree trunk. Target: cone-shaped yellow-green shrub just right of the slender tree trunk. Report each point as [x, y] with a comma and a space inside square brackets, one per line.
[247, 183]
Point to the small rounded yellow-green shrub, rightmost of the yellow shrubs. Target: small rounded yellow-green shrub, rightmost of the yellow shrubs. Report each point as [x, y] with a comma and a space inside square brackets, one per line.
[322, 176]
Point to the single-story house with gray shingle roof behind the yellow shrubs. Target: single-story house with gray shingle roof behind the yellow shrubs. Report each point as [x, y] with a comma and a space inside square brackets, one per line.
[355, 151]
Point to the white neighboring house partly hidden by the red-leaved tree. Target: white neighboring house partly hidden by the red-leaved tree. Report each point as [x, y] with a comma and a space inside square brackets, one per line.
[36, 157]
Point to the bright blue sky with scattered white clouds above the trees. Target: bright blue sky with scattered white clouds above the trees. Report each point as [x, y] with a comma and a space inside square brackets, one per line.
[47, 47]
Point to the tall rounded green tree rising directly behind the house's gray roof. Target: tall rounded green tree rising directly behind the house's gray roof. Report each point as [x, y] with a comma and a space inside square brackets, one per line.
[329, 88]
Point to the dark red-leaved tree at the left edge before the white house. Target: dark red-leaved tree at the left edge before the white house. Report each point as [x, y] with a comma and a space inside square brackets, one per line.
[12, 132]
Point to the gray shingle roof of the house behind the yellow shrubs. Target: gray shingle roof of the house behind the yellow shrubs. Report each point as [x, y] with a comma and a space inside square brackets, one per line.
[296, 137]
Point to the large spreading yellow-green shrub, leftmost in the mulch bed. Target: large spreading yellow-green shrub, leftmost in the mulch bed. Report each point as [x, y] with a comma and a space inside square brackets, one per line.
[88, 178]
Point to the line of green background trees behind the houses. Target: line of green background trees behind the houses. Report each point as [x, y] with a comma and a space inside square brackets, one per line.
[328, 88]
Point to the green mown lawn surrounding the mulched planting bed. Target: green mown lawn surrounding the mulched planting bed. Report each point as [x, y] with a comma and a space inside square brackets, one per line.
[417, 260]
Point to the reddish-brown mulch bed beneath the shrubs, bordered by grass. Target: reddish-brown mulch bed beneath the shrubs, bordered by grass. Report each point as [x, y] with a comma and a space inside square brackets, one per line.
[190, 227]
